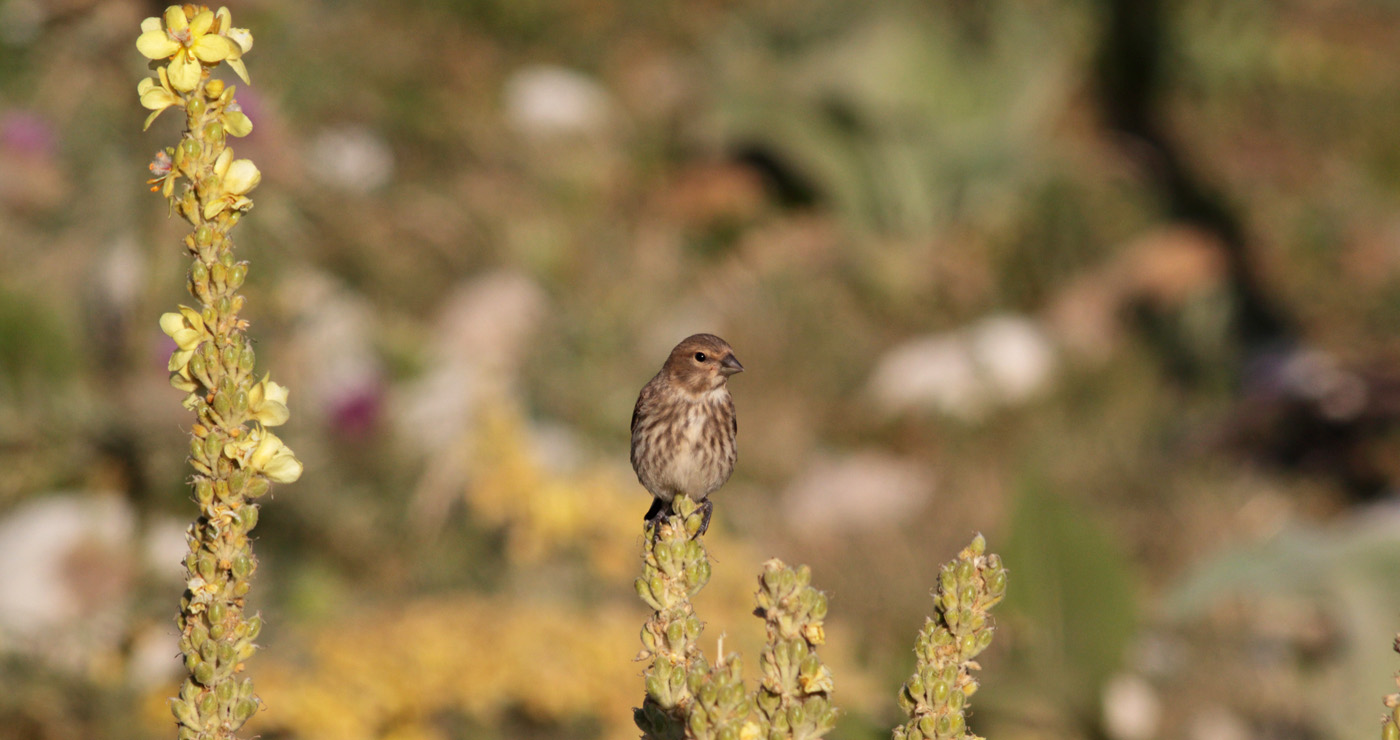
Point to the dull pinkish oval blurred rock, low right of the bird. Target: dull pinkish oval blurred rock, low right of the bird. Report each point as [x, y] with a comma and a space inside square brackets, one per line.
[866, 490]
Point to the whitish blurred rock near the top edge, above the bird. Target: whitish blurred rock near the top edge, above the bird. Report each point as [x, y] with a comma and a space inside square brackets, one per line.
[545, 103]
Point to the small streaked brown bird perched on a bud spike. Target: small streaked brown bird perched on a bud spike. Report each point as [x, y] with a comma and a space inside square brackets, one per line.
[684, 426]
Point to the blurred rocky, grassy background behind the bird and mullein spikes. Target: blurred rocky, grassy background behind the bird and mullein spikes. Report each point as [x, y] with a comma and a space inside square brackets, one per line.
[1115, 282]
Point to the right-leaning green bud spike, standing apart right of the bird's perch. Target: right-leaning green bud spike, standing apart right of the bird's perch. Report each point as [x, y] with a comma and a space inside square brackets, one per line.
[936, 696]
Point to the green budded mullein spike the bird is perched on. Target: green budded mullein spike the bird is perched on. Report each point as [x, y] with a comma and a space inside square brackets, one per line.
[675, 567]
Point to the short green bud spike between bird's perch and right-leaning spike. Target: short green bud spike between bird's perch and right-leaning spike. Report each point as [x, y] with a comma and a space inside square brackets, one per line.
[794, 697]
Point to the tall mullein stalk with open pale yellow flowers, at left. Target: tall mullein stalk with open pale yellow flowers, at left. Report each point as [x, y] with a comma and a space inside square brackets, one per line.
[233, 451]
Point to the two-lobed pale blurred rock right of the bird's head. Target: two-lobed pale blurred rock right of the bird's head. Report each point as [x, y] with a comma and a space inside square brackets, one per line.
[997, 362]
